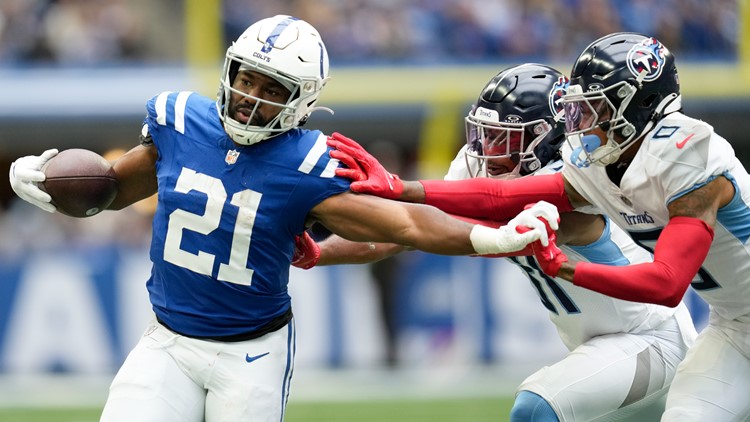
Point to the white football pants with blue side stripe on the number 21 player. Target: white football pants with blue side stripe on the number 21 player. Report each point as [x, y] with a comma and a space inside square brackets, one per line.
[168, 377]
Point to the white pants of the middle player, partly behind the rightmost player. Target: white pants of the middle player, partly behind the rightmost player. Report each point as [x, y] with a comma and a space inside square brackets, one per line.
[616, 376]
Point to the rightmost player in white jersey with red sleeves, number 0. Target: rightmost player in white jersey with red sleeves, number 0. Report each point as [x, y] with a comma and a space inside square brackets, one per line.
[669, 180]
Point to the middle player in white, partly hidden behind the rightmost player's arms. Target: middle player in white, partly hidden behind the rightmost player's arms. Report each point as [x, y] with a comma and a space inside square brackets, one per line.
[623, 354]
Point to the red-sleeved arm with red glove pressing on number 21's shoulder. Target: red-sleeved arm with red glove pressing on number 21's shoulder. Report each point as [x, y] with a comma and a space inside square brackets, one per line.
[480, 197]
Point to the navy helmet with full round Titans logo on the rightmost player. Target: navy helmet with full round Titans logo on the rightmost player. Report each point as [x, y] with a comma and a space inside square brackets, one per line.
[622, 83]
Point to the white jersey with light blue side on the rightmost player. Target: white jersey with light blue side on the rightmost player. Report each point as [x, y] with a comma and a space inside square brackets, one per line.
[678, 156]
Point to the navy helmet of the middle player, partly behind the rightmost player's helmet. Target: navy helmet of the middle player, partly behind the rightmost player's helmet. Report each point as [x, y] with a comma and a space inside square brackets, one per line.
[514, 117]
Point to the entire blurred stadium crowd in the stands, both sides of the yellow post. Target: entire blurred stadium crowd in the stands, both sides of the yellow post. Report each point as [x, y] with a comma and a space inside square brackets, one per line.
[80, 32]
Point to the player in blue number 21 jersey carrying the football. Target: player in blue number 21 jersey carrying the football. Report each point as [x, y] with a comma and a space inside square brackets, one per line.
[237, 181]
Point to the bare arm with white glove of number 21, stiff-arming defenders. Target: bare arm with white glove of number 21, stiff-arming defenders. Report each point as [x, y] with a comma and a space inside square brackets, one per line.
[368, 218]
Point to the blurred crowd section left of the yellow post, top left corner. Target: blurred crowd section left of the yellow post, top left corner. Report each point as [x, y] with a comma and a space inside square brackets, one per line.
[83, 33]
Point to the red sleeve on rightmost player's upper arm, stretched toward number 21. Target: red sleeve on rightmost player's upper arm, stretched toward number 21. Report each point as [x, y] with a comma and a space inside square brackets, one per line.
[495, 199]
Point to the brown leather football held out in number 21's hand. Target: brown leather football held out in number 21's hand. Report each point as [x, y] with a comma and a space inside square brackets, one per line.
[81, 182]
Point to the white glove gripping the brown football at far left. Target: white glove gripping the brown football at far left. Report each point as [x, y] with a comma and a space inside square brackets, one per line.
[24, 175]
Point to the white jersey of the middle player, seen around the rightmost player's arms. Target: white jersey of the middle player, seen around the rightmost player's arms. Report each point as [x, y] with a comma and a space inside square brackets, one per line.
[581, 314]
